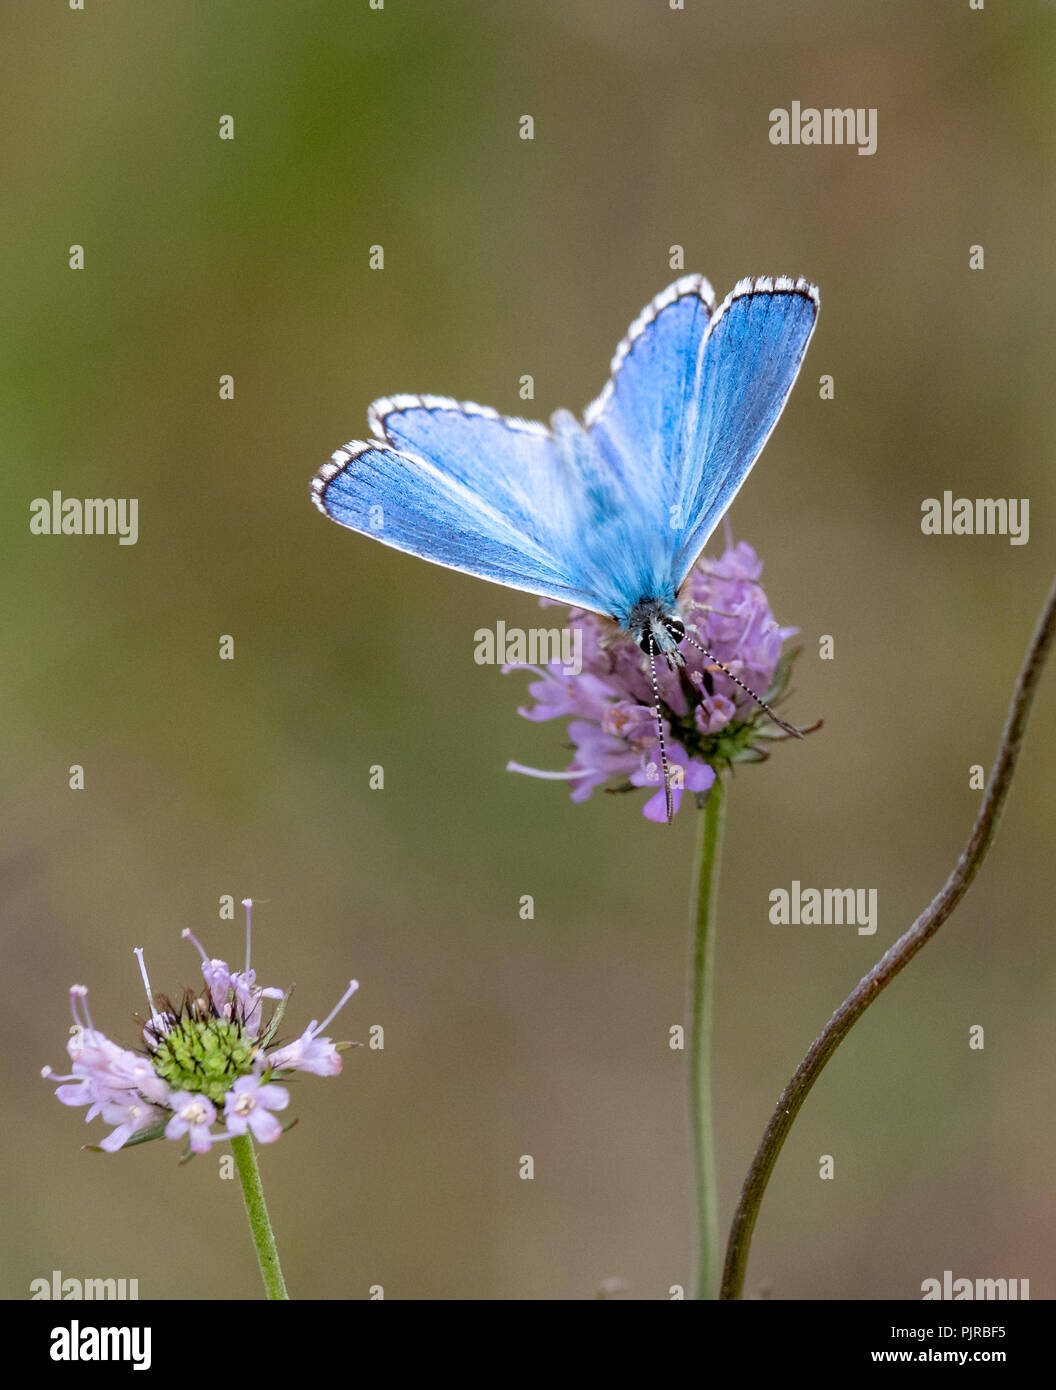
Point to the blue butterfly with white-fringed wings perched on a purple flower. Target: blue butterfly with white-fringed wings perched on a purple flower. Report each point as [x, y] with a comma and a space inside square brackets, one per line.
[611, 514]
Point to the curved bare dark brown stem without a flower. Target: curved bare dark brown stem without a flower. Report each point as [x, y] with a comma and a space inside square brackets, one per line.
[893, 961]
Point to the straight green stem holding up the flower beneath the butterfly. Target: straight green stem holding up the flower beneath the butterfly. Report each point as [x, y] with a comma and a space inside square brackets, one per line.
[702, 946]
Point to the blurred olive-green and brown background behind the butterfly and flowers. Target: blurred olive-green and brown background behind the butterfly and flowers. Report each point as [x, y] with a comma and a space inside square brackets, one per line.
[251, 778]
